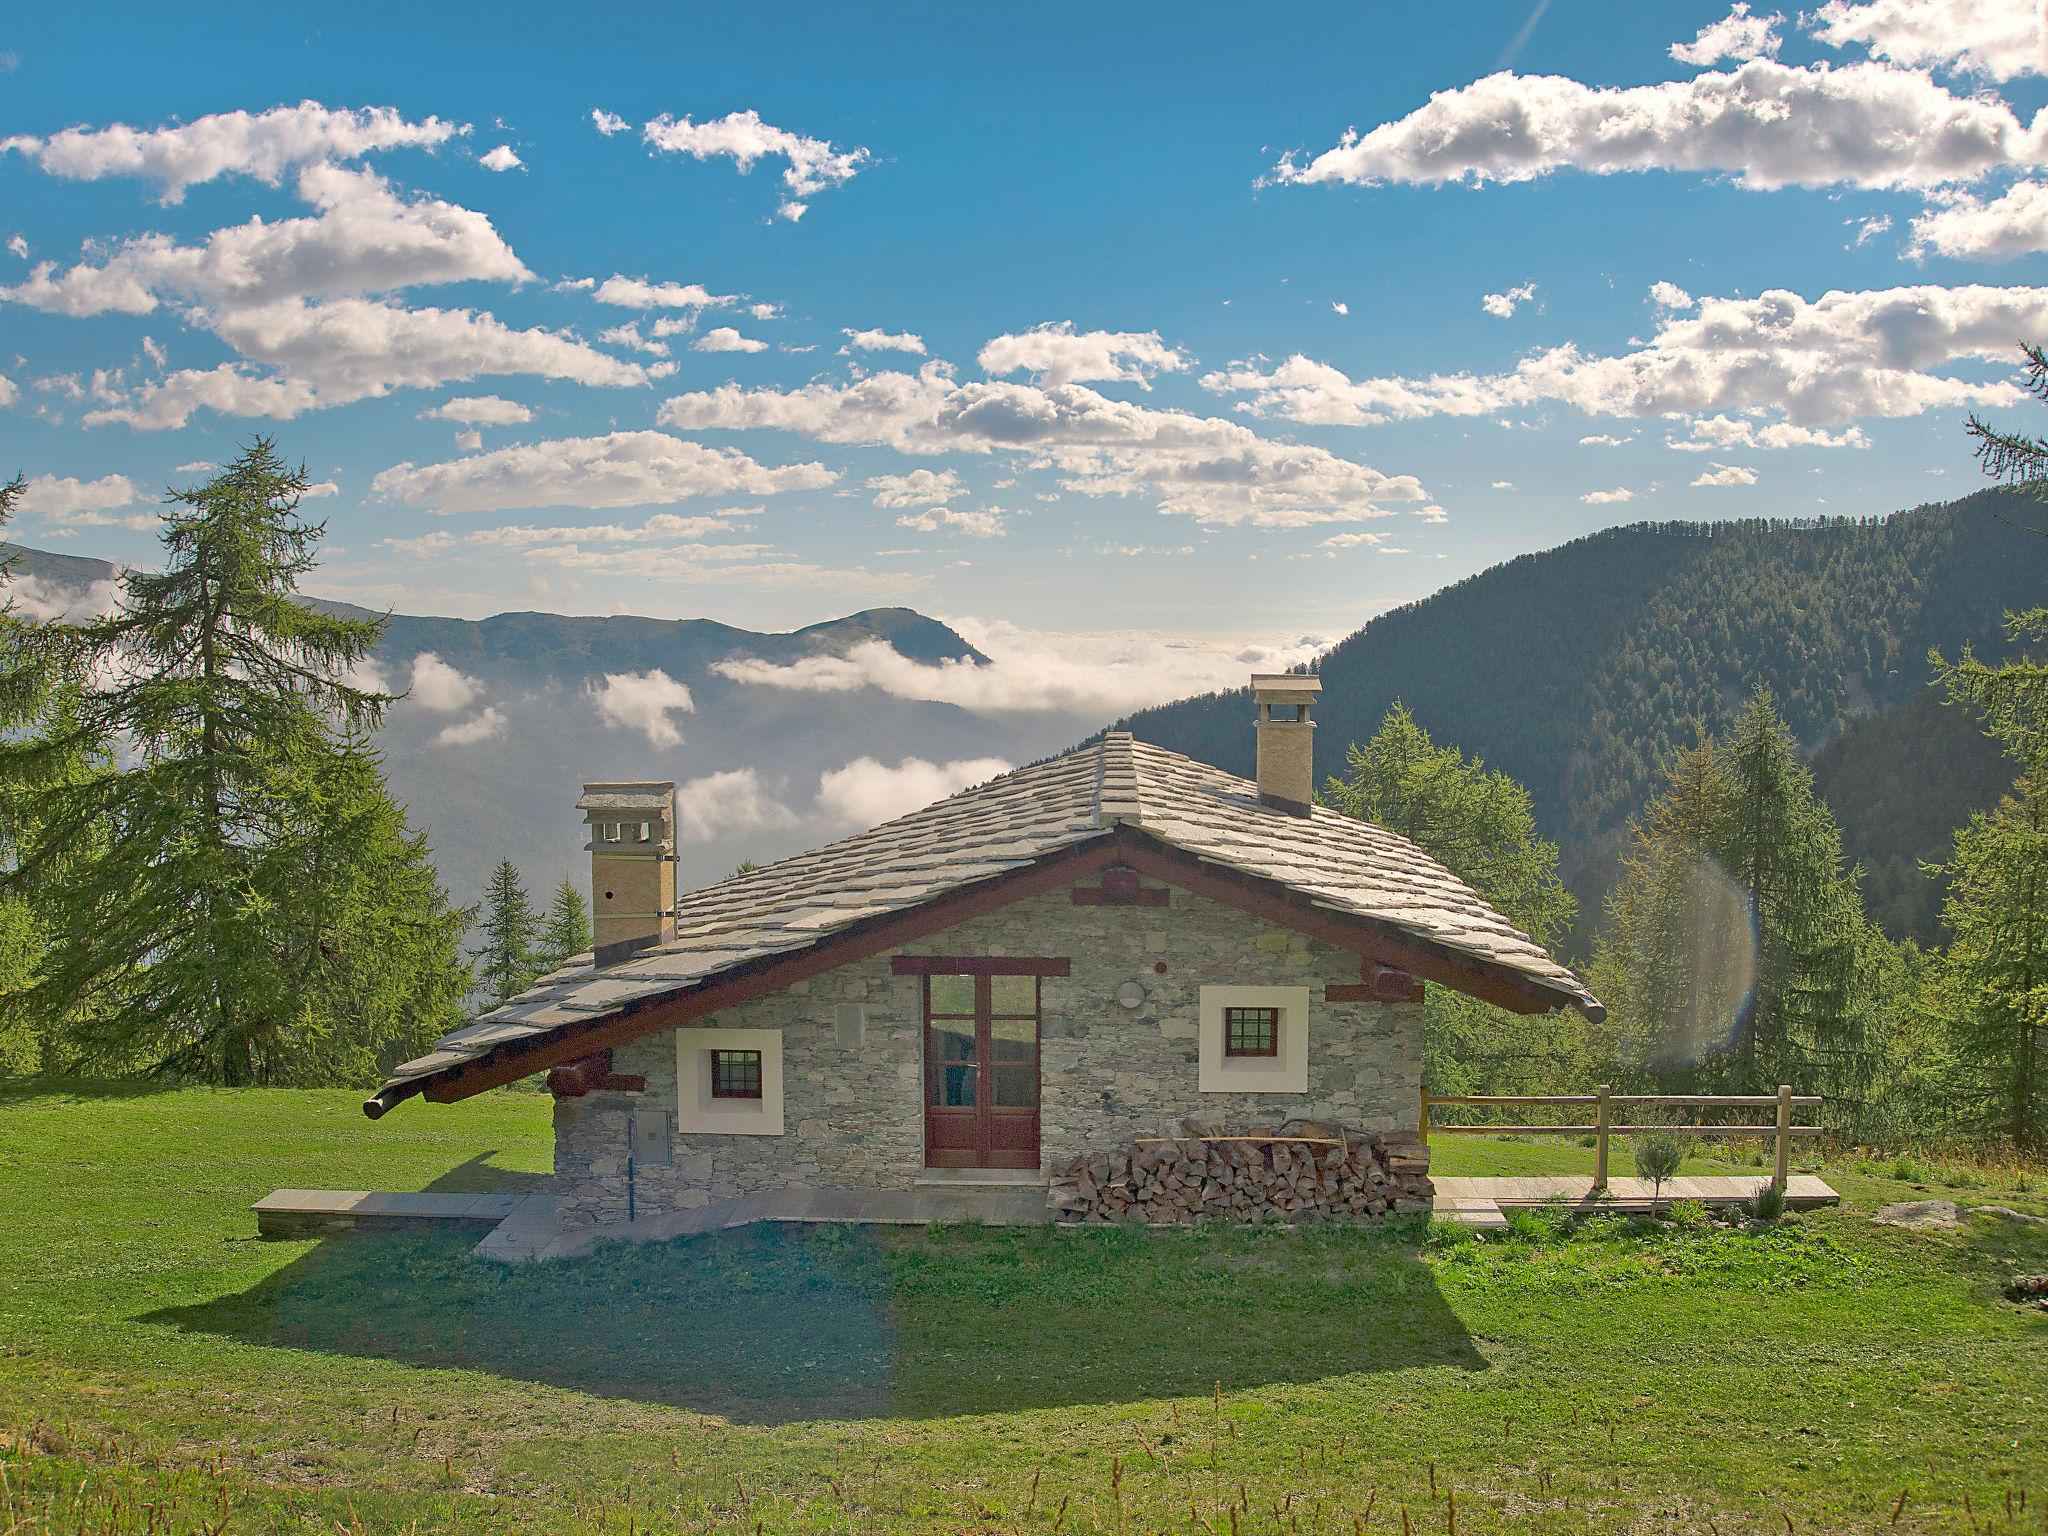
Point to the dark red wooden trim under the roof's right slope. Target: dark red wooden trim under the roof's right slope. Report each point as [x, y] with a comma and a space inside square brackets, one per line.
[1271, 900]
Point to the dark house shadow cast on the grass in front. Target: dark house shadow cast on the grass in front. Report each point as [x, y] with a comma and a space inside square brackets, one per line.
[775, 1324]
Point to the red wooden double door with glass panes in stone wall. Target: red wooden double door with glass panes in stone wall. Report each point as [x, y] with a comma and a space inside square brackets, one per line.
[980, 1072]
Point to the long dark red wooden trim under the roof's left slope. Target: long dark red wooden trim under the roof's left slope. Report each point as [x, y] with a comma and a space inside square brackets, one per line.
[744, 984]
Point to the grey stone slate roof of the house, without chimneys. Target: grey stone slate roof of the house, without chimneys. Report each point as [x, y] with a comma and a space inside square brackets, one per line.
[1011, 822]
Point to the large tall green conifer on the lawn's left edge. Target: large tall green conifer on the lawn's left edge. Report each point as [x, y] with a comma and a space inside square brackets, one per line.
[251, 908]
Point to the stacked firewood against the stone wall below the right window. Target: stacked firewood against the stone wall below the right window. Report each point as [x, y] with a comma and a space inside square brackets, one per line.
[1308, 1170]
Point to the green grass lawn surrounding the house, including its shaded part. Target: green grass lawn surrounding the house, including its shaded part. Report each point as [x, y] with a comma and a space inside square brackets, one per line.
[165, 1371]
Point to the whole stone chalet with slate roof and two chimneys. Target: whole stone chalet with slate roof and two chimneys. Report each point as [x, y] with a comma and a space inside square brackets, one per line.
[970, 998]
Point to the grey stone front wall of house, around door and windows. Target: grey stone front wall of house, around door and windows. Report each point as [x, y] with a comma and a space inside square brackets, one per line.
[853, 1107]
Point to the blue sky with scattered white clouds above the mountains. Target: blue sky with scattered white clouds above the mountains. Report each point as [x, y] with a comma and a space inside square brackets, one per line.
[1273, 402]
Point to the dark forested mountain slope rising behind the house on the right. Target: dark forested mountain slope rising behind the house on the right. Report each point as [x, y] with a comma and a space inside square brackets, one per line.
[1584, 669]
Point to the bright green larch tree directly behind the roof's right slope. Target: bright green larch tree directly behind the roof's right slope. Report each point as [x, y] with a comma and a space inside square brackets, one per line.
[1480, 824]
